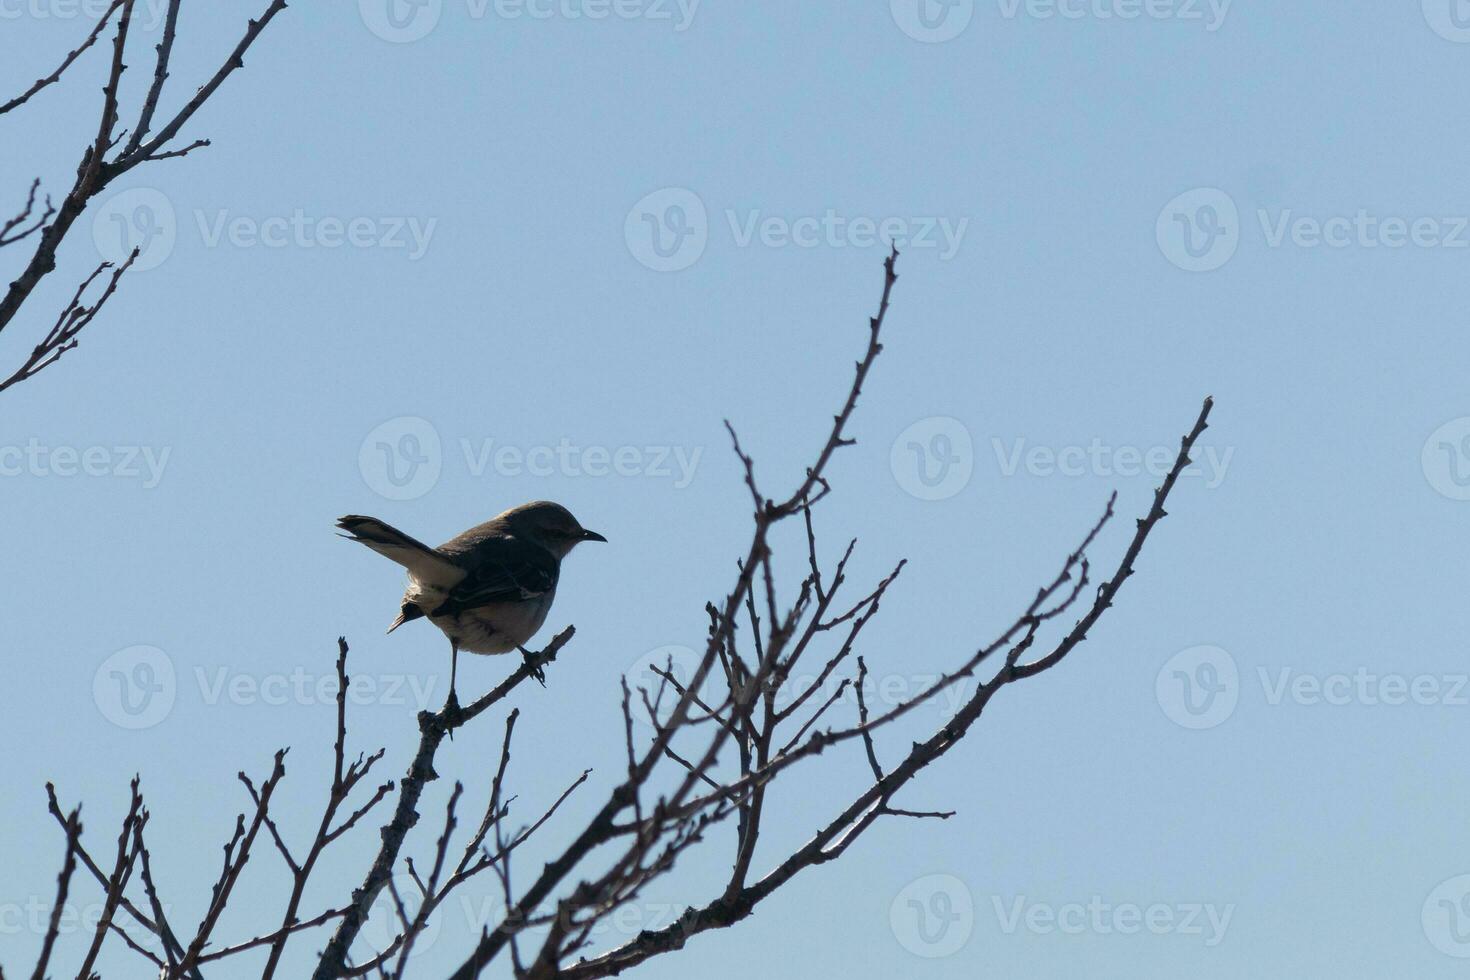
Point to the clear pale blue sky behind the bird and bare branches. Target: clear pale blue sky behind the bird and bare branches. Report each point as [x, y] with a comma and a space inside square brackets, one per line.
[478, 253]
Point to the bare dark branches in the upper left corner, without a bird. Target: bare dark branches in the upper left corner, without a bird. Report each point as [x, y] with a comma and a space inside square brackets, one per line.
[108, 155]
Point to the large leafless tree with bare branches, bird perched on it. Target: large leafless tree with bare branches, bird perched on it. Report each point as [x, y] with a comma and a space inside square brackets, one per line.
[673, 794]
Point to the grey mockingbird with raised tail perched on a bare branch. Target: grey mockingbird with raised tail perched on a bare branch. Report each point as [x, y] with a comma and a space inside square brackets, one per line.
[489, 588]
